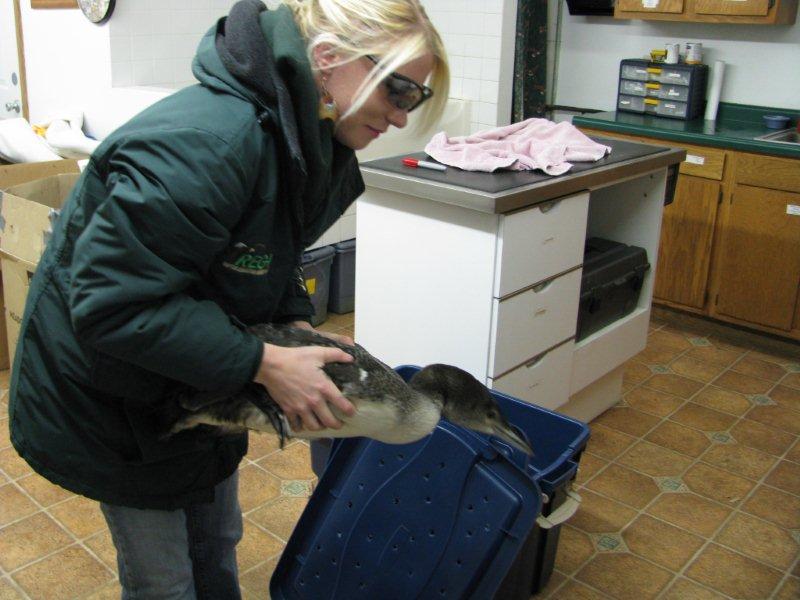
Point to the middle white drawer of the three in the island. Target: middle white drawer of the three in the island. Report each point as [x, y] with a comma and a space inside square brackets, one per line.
[529, 323]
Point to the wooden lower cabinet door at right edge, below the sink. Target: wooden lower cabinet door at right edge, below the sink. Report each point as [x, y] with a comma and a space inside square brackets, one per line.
[759, 259]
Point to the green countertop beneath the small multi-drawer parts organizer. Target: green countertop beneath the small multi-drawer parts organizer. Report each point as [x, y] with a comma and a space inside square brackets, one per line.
[735, 128]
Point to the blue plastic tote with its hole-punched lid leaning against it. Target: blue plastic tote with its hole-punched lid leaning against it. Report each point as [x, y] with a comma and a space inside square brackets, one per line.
[448, 516]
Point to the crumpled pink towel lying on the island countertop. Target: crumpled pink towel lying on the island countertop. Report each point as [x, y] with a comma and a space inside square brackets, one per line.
[527, 145]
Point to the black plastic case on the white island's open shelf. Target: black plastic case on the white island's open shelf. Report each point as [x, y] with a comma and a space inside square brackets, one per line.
[612, 279]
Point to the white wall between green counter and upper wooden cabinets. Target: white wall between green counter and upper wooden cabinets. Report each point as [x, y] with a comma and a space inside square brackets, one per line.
[762, 62]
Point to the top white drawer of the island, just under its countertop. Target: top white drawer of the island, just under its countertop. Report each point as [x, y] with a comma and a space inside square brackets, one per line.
[540, 242]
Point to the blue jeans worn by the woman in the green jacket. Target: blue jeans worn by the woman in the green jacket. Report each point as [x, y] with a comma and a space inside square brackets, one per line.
[185, 554]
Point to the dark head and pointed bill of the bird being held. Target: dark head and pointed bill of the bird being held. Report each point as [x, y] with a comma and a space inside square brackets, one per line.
[466, 402]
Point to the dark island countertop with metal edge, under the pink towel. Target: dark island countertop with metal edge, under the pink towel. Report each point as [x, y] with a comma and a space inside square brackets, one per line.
[505, 191]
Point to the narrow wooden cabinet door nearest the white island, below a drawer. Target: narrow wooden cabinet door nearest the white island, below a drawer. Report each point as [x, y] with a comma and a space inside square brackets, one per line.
[687, 231]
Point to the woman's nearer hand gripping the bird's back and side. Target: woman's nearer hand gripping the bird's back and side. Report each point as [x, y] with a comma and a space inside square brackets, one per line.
[295, 380]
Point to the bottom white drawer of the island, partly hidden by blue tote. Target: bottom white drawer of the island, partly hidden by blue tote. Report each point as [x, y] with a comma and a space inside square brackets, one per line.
[543, 381]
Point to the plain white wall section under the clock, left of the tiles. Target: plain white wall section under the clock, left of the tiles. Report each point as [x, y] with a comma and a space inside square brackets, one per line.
[66, 59]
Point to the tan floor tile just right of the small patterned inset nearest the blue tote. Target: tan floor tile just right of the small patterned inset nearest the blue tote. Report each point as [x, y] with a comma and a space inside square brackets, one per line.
[664, 544]
